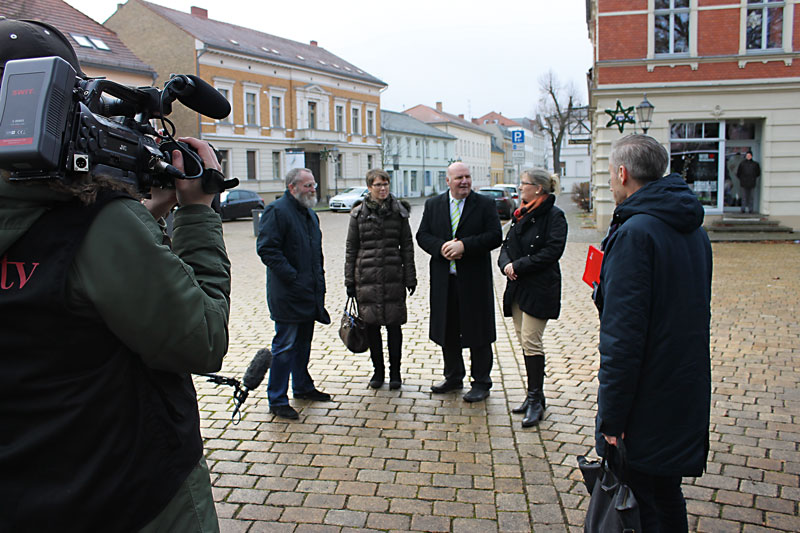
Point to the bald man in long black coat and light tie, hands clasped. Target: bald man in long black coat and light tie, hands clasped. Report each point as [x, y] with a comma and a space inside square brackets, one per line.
[459, 228]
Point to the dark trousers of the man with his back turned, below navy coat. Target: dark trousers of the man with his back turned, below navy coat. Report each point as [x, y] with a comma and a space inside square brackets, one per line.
[661, 504]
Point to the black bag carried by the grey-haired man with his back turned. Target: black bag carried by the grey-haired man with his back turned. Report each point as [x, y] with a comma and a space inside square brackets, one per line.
[613, 507]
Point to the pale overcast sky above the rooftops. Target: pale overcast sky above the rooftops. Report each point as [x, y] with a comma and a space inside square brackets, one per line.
[474, 56]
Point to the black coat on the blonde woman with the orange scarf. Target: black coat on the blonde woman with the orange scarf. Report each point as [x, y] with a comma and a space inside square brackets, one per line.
[534, 245]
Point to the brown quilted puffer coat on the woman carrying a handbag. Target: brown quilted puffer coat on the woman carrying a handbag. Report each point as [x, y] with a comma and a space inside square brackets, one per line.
[379, 260]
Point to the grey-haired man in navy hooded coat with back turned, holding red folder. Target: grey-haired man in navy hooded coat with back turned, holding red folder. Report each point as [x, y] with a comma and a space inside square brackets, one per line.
[654, 300]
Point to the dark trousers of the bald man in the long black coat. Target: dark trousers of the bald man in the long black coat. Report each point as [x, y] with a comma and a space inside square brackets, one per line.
[480, 356]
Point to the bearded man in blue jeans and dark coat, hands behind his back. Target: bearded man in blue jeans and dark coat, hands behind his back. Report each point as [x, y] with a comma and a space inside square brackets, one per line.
[290, 244]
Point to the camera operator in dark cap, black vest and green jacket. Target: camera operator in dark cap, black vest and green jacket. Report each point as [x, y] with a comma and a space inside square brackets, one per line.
[101, 324]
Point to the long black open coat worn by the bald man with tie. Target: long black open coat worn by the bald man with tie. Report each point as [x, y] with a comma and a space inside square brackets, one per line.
[479, 230]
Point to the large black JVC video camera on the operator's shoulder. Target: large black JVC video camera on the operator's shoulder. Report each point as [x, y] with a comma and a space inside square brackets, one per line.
[56, 125]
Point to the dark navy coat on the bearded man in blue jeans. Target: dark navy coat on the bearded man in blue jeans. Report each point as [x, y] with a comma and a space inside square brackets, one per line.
[290, 244]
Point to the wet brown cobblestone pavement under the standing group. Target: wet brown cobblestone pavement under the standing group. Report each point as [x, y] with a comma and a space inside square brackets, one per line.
[411, 461]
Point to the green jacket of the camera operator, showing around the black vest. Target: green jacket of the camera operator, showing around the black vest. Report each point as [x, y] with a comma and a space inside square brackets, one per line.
[169, 306]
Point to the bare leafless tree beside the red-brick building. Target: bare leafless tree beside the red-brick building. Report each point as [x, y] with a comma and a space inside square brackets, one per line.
[557, 103]
